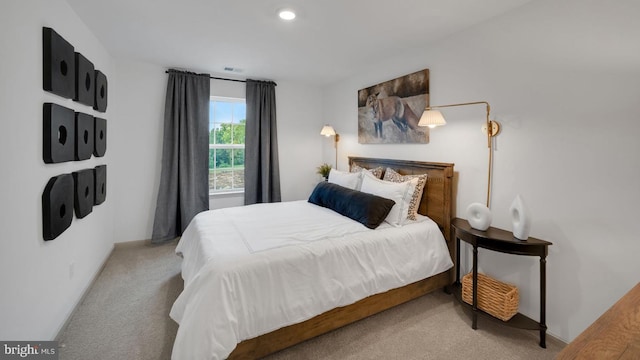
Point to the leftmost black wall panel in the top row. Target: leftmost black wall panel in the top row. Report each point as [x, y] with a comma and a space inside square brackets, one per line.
[58, 64]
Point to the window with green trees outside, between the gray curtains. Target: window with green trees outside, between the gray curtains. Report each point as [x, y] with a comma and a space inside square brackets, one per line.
[227, 118]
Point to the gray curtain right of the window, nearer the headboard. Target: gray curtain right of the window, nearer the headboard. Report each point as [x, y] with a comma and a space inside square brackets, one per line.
[261, 169]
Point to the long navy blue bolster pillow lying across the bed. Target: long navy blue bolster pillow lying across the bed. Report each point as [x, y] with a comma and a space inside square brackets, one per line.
[367, 209]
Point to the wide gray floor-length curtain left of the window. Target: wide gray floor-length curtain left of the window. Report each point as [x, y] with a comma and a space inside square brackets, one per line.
[184, 181]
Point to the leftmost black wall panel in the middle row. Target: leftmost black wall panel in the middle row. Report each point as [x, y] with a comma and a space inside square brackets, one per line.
[58, 134]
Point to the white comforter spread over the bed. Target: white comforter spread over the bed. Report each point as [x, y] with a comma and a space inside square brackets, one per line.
[254, 269]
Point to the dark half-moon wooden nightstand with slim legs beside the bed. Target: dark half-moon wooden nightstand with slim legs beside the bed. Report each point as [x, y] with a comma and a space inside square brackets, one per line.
[502, 241]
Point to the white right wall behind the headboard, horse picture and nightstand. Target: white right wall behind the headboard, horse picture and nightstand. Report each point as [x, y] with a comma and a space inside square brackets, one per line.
[563, 78]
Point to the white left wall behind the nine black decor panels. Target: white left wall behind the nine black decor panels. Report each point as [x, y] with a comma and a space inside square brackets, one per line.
[42, 281]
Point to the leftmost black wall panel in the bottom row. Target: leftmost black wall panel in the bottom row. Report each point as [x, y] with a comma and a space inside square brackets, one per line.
[57, 206]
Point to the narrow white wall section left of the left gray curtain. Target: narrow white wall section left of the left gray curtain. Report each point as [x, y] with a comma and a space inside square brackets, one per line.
[139, 125]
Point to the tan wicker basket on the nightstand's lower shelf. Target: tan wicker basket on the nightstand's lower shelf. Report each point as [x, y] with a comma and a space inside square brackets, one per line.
[494, 297]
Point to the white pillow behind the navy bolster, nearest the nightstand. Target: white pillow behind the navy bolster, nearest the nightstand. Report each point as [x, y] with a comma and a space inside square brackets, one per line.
[401, 193]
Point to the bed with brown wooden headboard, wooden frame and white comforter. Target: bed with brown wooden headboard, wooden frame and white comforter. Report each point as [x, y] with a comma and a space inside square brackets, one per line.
[266, 291]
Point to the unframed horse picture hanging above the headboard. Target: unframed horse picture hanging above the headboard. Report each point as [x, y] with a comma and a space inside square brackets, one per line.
[388, 113]
